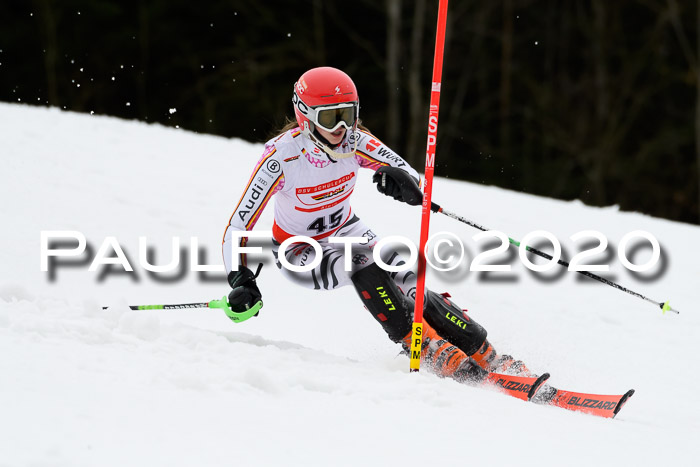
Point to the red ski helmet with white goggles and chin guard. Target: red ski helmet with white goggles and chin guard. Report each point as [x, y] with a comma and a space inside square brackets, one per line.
[325, 97]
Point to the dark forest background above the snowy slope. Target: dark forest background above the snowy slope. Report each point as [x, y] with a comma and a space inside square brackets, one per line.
[596, 100]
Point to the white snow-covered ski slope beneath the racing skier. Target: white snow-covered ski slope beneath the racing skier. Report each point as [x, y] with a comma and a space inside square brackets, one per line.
[312, 381]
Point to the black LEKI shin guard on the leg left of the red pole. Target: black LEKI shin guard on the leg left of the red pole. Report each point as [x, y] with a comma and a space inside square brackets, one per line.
[384, 301]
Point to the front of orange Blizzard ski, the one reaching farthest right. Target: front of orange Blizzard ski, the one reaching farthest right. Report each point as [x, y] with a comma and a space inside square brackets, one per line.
[600, 405]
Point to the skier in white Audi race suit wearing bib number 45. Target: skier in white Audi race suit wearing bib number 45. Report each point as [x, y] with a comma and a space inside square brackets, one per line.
[311, 167]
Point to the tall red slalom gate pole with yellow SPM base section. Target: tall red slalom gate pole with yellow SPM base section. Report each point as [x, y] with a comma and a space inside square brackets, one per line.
[417, 335]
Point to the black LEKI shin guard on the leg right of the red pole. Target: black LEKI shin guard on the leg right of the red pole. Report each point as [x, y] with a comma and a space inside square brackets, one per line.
[452, 324]
